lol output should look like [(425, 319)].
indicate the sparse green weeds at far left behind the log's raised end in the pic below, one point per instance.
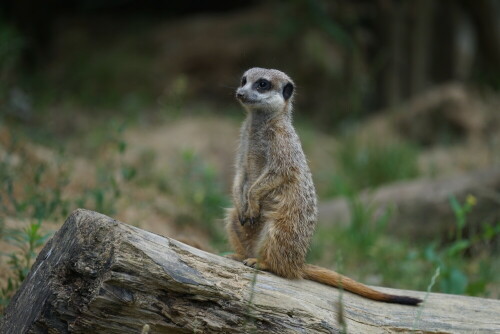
[(36, 193)]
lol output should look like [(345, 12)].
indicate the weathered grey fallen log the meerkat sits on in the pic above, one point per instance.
[(97, 275)]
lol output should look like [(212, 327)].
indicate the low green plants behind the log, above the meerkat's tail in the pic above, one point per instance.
[(367, 247)]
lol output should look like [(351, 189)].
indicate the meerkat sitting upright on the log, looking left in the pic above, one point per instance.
[(275, 205)]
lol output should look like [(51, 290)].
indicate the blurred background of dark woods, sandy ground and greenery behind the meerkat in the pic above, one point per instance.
[(127, 108)]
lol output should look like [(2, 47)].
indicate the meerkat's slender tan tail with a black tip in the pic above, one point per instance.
[(329, 277)]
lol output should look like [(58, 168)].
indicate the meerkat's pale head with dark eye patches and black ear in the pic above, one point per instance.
[(265, 90)]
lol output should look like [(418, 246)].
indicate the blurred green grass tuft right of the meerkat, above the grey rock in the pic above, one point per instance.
[(371, 165)]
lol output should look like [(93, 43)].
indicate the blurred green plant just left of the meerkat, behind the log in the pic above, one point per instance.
[(201, 194)]
